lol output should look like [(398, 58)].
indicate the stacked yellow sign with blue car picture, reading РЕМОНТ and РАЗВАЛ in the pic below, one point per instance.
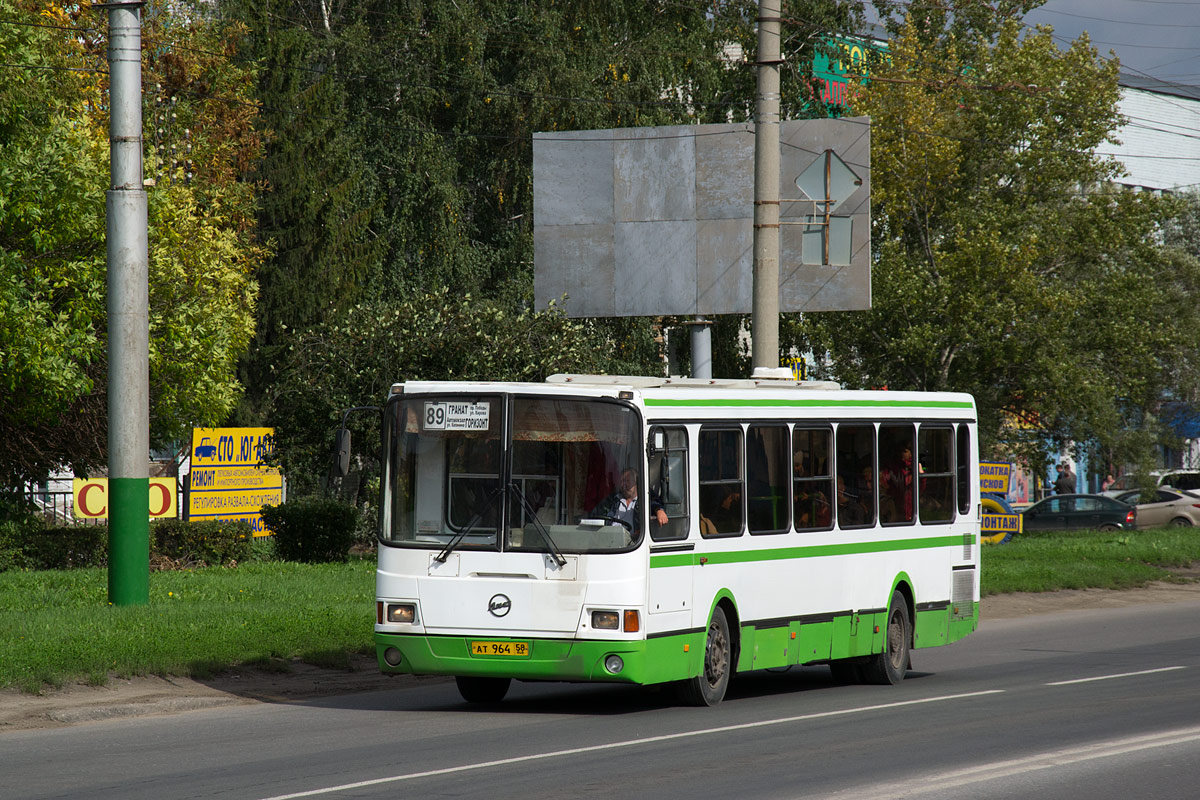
[(229, 480)]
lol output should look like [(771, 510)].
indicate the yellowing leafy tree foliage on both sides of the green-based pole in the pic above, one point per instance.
[(55, 169)]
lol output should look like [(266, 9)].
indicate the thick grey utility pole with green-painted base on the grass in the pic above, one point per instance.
[(129, 328)]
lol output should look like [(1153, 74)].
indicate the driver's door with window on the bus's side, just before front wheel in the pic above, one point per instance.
[(671, 555)]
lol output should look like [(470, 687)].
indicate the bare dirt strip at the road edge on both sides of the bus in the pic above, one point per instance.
[(121, 697)]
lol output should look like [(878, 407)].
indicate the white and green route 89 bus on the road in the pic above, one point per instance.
[(772, 524)]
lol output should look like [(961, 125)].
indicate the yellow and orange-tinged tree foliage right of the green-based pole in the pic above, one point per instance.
[(206, 250)]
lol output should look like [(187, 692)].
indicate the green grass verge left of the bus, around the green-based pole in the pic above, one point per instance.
[(57, 627)]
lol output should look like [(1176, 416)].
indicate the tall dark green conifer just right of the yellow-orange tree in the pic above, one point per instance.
[(315, 193)]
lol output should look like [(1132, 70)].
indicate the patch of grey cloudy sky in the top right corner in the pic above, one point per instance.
[(1159, 39)]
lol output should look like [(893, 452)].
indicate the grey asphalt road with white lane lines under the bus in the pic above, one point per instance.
[(1089, 705)]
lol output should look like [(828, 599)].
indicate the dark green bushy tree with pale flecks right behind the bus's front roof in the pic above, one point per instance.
[(435, 335)]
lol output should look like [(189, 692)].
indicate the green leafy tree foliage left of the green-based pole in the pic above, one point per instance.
[(52, 248)]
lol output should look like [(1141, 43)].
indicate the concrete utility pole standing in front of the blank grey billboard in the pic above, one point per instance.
[(765, 318)]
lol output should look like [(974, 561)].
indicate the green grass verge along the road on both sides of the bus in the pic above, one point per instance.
[(57, 627)]
